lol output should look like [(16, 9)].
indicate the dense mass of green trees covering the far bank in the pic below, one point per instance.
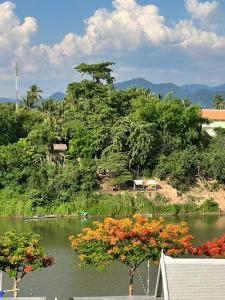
[(110, 134)]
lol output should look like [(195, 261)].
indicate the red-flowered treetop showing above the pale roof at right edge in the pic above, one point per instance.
[(214, 249)]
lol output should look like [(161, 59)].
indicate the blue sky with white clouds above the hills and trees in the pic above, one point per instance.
[(179, 41)]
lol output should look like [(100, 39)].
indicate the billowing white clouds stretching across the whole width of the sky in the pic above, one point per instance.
[(127, 28)]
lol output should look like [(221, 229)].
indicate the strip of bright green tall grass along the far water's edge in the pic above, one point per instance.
[(14, 204)]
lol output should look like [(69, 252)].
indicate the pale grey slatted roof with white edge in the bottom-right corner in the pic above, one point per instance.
[(191, 279)]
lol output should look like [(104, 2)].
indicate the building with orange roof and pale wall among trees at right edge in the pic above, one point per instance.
[(216, 118)]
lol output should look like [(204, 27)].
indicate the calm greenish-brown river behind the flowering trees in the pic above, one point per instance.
[(65, 279)]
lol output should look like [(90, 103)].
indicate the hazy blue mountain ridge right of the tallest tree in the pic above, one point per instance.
[(197, 93)]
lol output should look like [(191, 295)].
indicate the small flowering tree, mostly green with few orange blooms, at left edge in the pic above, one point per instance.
[(21, 254)]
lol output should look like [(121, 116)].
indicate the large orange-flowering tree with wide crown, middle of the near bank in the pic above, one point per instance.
[(130, 242)]
